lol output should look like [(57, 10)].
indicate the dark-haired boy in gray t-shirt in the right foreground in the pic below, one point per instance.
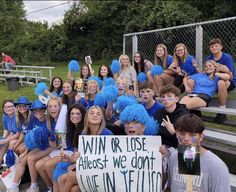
[(214, 174)]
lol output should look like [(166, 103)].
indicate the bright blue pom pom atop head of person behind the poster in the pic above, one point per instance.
[(135, 112)]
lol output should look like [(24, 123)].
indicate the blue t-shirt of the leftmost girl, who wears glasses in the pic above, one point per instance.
[(9, 123)]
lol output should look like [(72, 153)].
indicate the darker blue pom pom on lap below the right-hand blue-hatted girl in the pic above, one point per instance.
[(41, 138)]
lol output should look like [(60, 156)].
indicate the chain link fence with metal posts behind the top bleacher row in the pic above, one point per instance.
[(195, 36)]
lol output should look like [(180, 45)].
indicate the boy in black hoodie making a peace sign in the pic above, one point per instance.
[(167, 116)]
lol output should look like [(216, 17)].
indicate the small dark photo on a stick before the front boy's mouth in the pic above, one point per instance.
[(189, 159)]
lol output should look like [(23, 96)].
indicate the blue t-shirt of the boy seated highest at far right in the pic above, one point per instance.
[(227, 60)]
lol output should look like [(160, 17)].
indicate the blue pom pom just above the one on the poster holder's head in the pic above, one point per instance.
[(123, 101)]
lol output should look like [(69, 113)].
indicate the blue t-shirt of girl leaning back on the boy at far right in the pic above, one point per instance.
[(204, 85)]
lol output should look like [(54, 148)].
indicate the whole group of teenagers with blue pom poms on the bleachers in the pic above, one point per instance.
[(108, 105)]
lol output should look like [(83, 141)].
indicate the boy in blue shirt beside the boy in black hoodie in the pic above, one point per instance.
[(147, 92)]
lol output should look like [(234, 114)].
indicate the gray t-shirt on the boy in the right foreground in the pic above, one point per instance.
[(214, 175)]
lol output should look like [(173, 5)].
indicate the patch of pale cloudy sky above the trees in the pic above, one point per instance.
[(52, 15)]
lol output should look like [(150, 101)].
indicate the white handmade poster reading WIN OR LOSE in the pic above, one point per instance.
[(119, 163)]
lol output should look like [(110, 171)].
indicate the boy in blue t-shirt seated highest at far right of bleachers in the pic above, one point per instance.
[(226, 66)]
